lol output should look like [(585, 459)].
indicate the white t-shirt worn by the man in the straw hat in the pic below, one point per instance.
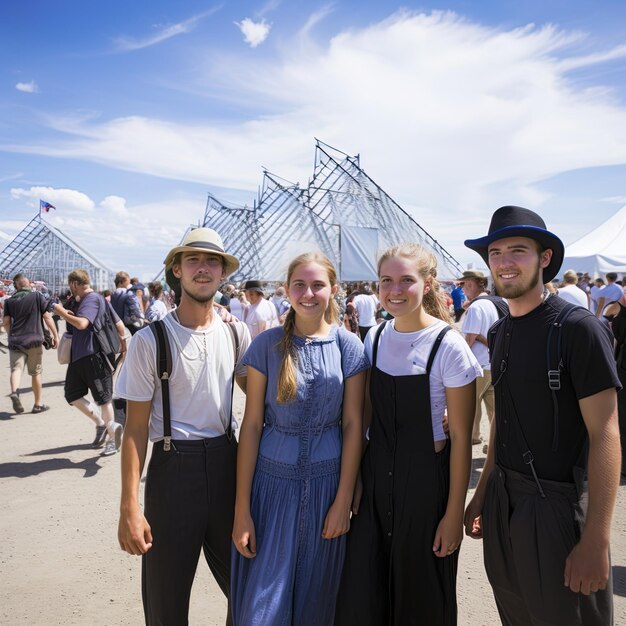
[(200, 383)]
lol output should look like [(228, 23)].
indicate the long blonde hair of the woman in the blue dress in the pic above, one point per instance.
[(287, 376)]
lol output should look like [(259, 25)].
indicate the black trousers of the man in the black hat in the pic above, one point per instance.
[(526, 540)]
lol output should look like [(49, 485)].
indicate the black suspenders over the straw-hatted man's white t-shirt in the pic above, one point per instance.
[(164, 371)]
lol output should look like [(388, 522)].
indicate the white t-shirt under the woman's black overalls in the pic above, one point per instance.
[(402, 354)]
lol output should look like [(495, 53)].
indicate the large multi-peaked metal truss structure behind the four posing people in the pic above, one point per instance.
[(342, 212)]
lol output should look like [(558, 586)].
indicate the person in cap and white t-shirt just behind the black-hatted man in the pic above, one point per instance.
[(475, 324)]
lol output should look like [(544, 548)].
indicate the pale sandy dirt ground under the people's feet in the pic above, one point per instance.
[(59, 558)]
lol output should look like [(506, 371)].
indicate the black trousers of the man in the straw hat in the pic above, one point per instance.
[(189, 504)]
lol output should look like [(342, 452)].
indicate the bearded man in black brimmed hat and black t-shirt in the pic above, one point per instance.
[(547, 559)]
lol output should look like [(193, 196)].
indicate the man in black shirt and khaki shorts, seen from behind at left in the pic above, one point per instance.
[(24, 314)]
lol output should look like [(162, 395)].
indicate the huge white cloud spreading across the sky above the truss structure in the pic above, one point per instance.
[(452, 118)]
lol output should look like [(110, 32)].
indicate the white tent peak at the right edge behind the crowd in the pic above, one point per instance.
[(600, 251)]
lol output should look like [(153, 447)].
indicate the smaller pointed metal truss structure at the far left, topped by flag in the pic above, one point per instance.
[(44, 253)]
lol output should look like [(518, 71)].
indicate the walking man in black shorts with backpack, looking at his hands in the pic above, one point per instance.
[(92, 363)]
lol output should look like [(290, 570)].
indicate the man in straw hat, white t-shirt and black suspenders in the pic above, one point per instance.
[(190, 484)]
